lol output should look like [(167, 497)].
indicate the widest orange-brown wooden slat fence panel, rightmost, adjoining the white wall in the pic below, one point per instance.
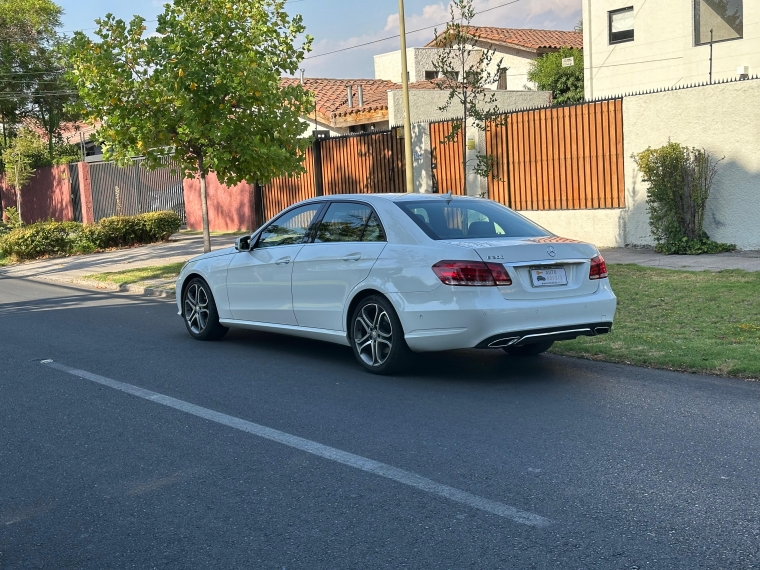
[(561, 158)]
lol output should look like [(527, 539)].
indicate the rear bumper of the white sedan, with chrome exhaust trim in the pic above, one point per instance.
[(475, 317)]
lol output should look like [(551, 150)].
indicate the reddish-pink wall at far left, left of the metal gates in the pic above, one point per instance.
[(46, 196)]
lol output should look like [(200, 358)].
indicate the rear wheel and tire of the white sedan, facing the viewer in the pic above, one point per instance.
[(377, 337)]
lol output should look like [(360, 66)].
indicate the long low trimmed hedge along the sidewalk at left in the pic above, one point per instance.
[(45, 239)]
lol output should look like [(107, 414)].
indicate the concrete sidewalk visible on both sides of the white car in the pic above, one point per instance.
[(74, 270)]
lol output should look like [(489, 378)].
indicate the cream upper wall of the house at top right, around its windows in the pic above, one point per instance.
[(663, 53)]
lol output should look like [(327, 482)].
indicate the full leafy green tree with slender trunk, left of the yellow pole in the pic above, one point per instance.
[(205, 89)]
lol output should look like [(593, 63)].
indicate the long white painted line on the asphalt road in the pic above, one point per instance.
[(318, 449)]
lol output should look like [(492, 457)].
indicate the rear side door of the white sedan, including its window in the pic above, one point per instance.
[(347, 242)]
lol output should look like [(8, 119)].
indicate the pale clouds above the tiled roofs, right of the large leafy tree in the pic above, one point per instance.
[(358, 62)]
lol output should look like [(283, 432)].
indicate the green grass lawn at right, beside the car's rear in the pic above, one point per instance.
[(680, 320)]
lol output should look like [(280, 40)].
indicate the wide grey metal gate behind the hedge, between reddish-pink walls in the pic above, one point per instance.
[(132, 190)]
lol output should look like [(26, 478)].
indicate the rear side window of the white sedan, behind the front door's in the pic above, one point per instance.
[(347, 222)]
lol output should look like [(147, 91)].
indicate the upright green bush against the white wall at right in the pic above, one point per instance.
[(679, 181)]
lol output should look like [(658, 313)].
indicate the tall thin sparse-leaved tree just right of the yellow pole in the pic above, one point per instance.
[(466, 77)]
